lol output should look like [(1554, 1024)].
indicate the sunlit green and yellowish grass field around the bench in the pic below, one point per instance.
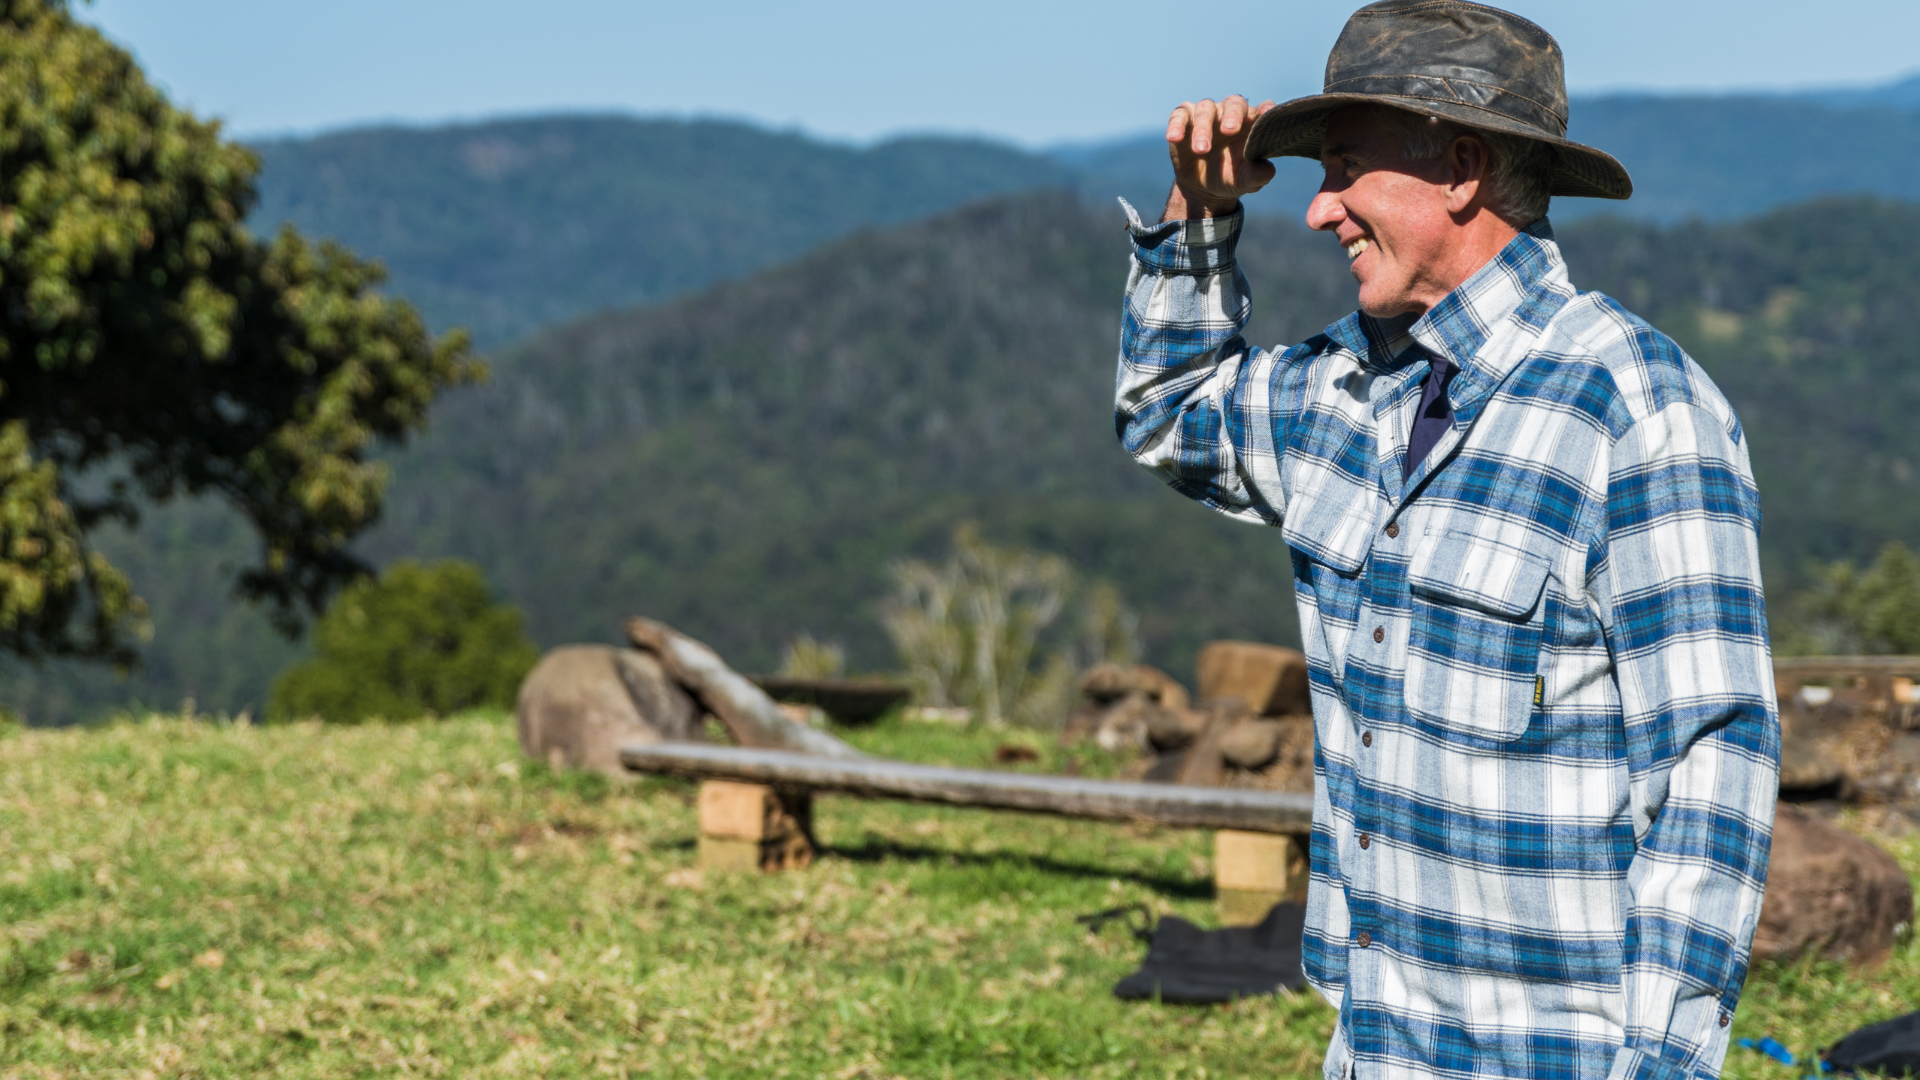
[(187, 898)]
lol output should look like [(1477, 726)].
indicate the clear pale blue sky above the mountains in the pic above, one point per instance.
[(1026, 70)]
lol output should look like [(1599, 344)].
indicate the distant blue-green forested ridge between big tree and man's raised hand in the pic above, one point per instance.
[(519, 224)]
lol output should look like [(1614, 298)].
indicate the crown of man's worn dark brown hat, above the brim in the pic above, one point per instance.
[(1452, 51)]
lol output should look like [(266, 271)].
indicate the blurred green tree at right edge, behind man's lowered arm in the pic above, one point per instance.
[(1854, 610)]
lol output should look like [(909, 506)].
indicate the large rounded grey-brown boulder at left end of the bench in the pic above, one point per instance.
[(583, 704)]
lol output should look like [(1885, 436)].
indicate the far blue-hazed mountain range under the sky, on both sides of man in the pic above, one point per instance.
[(521, 224)]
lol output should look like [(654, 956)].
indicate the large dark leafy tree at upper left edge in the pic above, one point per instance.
[(153, 347)]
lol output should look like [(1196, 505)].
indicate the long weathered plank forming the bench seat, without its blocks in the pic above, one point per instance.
[(1068, 797)]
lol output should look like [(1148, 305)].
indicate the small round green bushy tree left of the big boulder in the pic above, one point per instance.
[(425, 639)]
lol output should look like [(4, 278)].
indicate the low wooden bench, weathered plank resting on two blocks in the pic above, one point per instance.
[(757, 812)]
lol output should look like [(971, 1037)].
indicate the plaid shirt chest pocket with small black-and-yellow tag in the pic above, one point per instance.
[(1474, 650)]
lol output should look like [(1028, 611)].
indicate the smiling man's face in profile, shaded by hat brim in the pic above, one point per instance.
[(1387, 212)]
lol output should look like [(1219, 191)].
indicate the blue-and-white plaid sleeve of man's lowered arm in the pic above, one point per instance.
[(1679, 591)]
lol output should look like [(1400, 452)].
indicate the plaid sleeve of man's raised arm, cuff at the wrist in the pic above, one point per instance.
[(1195, 405)]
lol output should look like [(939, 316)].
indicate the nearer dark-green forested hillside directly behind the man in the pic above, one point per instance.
[(748, 460)]
